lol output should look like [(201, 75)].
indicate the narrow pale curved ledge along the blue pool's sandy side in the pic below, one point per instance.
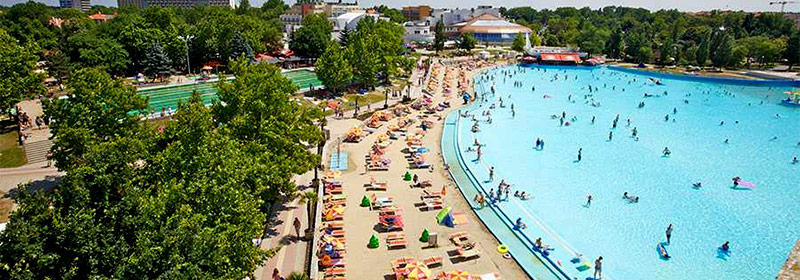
[(496, 208)]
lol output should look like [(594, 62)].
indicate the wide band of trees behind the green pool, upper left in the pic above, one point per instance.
[(125, 45)]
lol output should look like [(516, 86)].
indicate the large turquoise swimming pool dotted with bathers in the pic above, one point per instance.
[(761, 223)]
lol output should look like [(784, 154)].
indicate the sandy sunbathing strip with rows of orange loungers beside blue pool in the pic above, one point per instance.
[(361, 223)]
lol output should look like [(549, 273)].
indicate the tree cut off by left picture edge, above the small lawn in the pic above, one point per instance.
[(17, 77)]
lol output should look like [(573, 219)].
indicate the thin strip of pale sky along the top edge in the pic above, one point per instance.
[(683, 5)]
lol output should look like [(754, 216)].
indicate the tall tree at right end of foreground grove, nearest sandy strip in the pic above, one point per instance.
[(273, 129)]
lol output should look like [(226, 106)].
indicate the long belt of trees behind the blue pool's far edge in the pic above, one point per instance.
[(722, 39)]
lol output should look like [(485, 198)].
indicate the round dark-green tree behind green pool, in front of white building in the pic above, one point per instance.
[(313, 37)]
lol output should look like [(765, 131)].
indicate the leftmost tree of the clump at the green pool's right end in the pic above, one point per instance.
[(333, 69)]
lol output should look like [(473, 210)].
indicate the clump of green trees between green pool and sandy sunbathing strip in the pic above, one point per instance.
[(367, 55)]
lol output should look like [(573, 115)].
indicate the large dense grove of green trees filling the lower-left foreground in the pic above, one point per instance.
[(183, 201)]
